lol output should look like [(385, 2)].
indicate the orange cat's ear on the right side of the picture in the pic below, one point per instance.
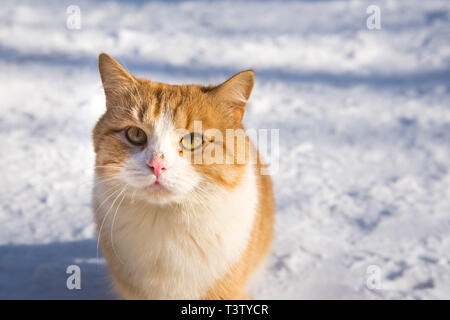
[(234, 93)]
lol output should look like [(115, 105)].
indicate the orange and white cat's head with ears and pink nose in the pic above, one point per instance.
[(167, 143)]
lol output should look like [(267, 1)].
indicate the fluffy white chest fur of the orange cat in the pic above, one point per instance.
[(177, 252)]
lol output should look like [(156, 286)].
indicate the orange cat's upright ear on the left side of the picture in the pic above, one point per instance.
[(116, 80)]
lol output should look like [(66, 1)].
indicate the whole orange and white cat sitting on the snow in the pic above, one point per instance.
[(171, 227)]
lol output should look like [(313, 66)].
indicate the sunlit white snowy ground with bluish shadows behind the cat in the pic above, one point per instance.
[(364, 119)]
